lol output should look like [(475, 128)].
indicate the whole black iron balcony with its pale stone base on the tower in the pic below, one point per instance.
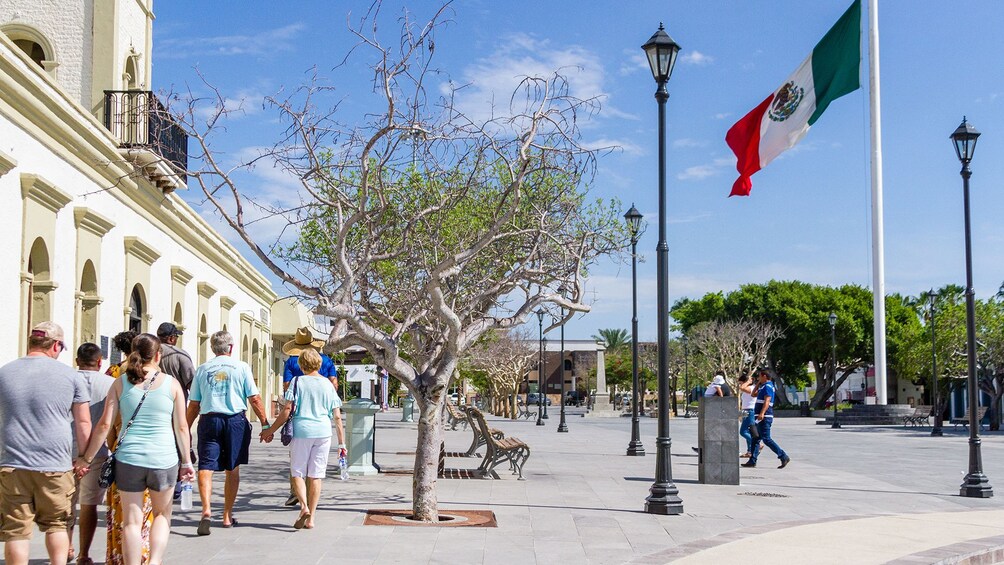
[(149, 135)]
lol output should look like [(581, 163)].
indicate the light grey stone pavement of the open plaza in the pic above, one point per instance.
[(858, 495)]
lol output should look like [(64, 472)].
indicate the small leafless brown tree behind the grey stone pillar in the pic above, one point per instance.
[(734, 347)]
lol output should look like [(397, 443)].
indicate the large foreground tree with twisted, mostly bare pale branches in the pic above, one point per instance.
[(427, 227)]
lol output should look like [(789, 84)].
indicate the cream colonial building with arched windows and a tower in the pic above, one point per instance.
[(95, 235)]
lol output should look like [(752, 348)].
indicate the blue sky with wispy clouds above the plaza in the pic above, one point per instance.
[(810, 215)]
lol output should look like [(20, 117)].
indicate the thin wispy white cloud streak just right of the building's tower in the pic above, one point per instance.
[(262, 44)]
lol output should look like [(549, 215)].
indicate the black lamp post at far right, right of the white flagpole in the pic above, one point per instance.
[(975, 484)]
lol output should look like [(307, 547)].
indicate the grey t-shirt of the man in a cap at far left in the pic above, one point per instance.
[(37, 396)]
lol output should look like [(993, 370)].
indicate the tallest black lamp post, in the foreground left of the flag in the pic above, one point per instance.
[(664, 497)]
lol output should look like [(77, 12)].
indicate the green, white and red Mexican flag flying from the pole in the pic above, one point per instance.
[(782, 121)]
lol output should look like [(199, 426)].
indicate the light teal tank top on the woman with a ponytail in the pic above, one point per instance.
[(150, 443)]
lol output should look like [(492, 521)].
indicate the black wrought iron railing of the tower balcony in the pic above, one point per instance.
[(140, 121)]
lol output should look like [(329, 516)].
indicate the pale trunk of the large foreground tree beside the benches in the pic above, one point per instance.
[(425, 503)]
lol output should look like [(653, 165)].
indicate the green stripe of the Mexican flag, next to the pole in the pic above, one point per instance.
[(837, 61)]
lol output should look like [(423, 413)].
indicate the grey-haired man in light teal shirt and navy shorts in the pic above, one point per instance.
[(221, 392)]
